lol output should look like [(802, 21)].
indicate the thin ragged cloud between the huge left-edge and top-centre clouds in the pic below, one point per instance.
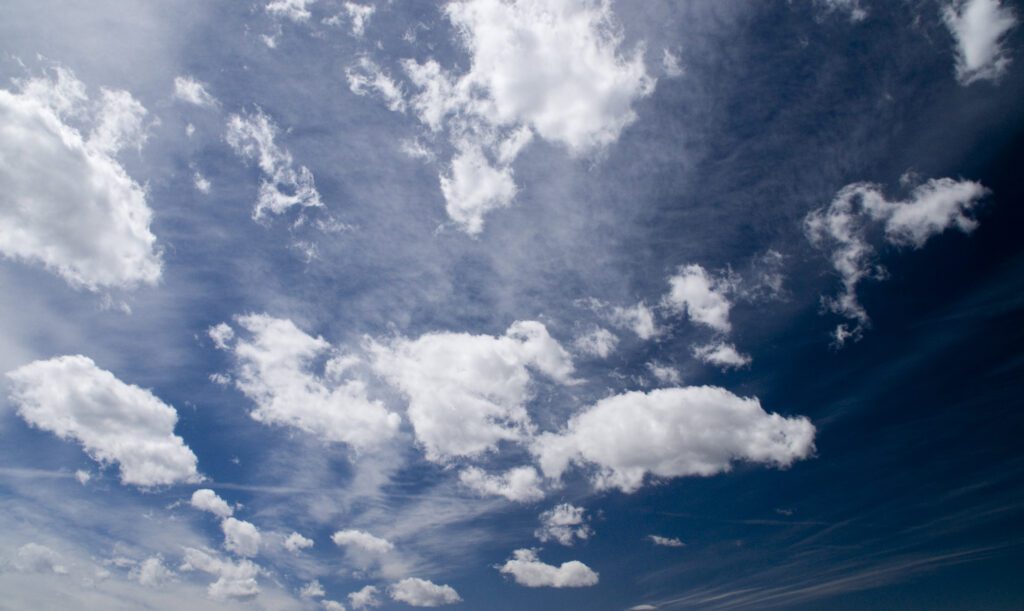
[(252, 136)]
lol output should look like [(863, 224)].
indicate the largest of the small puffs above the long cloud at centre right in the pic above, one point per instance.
[(702, 297)]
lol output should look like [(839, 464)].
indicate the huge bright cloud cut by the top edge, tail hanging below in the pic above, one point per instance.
[(550, 69)]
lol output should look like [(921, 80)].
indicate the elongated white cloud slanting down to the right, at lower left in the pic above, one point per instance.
[(115, 422)]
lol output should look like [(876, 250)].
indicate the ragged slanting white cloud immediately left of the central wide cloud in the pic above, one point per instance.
[(276, 370)]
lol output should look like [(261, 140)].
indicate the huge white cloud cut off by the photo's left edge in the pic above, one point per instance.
[(68, 204)]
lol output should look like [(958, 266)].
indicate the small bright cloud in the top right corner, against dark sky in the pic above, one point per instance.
[(979, 27)]
